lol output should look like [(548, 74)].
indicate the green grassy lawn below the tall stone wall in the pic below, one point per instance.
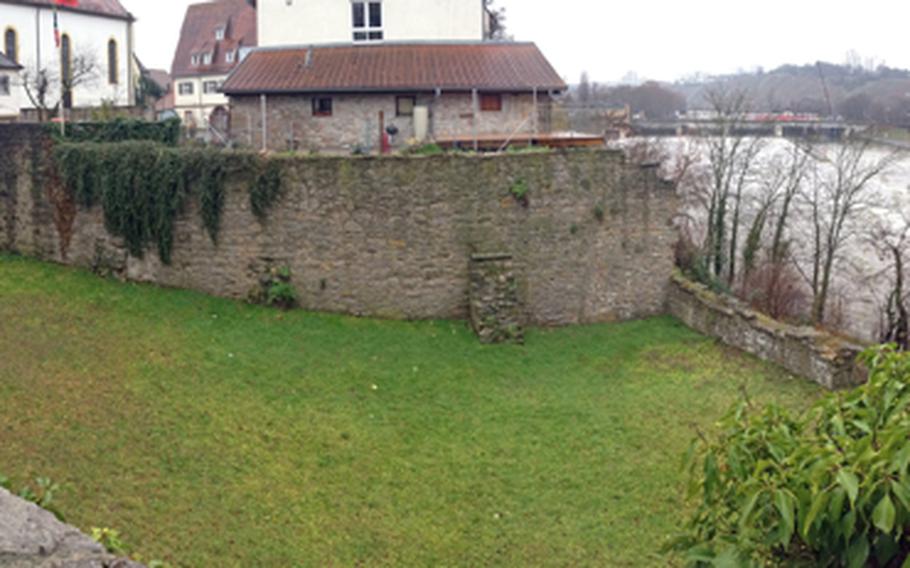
[(213, 433)]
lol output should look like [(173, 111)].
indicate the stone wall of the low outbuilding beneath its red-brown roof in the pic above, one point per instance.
[(354, 123)]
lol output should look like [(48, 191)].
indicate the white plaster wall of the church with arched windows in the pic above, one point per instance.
[(88, 34)]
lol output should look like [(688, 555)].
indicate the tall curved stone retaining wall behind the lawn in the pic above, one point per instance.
[(591, 241)]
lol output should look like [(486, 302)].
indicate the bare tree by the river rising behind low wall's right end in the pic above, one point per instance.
[(834, 202)]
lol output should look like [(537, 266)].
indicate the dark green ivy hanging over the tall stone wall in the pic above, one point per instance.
[(143, 186)]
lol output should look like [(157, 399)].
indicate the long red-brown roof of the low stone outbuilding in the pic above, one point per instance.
[(395, 67)]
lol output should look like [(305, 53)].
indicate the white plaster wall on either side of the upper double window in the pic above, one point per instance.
[(305, 22)]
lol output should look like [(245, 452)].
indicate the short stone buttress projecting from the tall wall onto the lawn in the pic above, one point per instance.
[(496, 313)]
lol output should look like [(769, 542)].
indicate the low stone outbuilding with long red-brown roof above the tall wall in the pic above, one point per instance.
[(347, 97)]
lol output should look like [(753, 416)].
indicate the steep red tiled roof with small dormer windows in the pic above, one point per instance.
[(197, 37)]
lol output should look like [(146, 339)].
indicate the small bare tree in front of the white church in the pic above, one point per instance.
[(46, 86)]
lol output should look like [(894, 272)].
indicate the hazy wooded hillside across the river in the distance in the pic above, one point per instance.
[(869, 95)]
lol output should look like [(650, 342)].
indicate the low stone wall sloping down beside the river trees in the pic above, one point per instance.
[(804, 351)]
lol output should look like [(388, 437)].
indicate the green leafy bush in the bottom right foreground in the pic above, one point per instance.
[(829, 487)]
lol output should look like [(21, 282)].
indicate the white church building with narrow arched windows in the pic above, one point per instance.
[(95, 52)]
